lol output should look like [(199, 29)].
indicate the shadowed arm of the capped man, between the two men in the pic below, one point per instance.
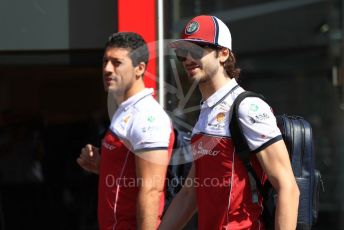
[(183, 206)]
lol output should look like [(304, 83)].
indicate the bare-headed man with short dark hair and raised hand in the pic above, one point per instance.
[(136, 148)]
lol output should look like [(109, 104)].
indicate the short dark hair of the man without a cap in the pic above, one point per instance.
[(132, 41)]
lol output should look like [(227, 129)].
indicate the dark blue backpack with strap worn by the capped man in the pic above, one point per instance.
[(297, 135)]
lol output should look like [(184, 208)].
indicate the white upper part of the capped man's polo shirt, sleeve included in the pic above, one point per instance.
[(258, 121)]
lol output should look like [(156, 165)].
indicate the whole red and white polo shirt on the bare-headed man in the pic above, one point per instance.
[(138, 124)]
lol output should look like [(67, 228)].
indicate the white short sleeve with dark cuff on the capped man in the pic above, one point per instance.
[(258, 123)]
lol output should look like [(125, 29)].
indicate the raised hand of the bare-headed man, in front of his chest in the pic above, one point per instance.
[(89, 159)]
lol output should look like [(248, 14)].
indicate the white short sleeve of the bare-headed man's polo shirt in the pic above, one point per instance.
[(150, 130)]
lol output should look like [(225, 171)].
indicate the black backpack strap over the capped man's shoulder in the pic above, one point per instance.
[(241, 145)]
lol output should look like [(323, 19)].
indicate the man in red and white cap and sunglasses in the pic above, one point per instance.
[(218, 185)]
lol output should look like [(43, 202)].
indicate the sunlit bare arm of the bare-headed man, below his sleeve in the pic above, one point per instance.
[(151, 167)]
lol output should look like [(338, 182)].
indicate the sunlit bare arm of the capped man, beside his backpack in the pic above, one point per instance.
[(275, 162)]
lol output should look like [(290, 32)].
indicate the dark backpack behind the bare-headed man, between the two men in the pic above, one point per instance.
[(180, 164)]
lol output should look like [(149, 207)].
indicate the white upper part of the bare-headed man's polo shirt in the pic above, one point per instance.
[(142, 123)]
